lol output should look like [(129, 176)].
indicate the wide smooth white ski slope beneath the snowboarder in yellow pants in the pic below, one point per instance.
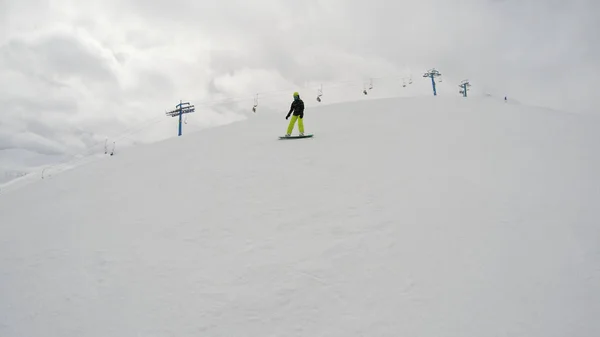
[(401, 217)]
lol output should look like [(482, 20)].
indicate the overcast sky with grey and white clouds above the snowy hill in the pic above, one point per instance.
[(74, 73)]
